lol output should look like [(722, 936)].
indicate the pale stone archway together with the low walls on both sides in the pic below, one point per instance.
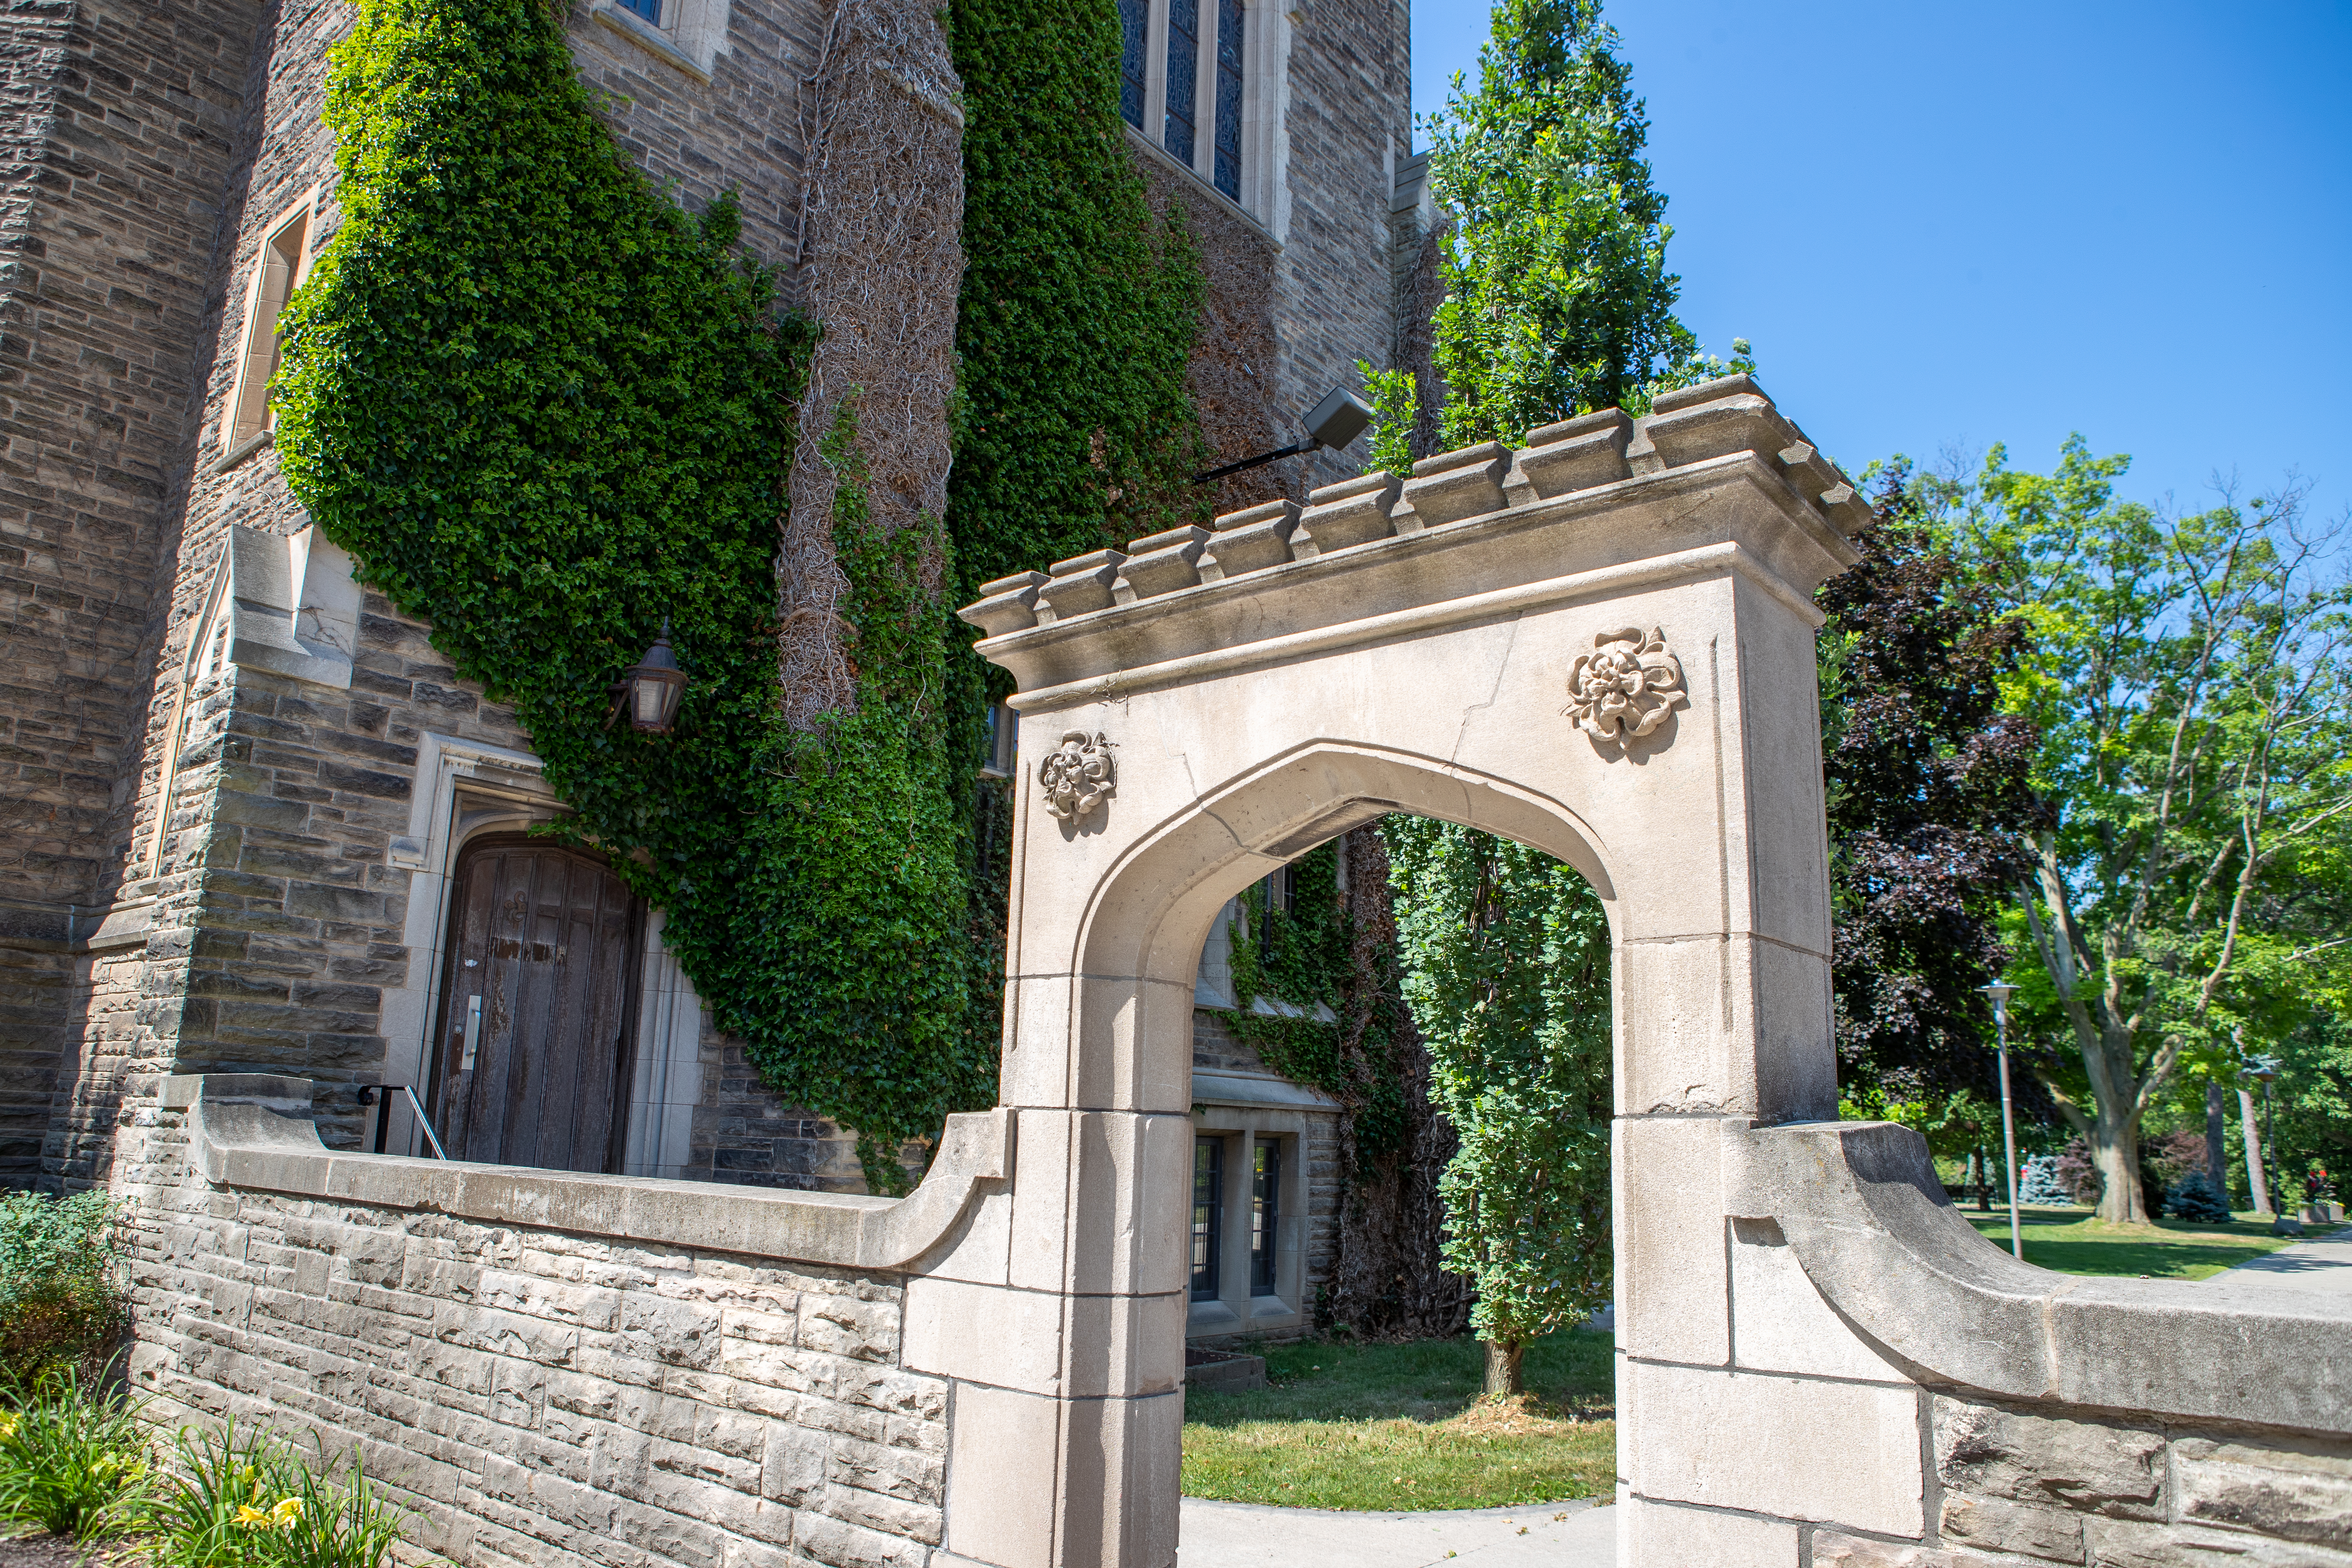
[(1601, 645)]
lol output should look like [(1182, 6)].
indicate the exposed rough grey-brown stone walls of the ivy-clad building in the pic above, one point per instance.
[(241, 791)]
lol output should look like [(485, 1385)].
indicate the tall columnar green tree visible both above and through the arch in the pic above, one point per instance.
[(1558, 302)]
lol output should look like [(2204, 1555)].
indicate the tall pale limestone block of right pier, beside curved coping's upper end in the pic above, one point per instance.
[(1671, 1285)]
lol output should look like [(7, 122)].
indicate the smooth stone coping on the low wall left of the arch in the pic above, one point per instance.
[(253, 1130)]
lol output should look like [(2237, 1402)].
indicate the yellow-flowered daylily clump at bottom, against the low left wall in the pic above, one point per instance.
[(250, 1501)]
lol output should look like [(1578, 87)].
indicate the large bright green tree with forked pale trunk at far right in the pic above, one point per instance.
[(2193, 692)]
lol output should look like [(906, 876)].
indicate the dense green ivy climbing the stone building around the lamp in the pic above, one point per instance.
[(547, 413)]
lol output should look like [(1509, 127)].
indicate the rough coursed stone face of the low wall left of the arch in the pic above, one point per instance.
[(544, 1395)]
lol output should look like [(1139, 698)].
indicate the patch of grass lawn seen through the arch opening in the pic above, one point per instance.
[(1401, 1428)]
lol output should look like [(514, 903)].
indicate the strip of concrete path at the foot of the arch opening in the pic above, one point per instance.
[(1535, 1536)]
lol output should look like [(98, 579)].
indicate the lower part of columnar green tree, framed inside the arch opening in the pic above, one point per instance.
[(1506, 972)]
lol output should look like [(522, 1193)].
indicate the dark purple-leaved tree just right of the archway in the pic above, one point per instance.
[(1930, 803)]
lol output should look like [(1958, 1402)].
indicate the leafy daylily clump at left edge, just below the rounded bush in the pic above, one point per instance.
[(74, 1454)]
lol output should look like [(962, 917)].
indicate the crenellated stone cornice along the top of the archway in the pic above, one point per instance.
[(1711, 485)]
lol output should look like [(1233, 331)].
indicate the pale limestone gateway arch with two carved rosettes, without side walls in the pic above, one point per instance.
[(1220, 702)]
